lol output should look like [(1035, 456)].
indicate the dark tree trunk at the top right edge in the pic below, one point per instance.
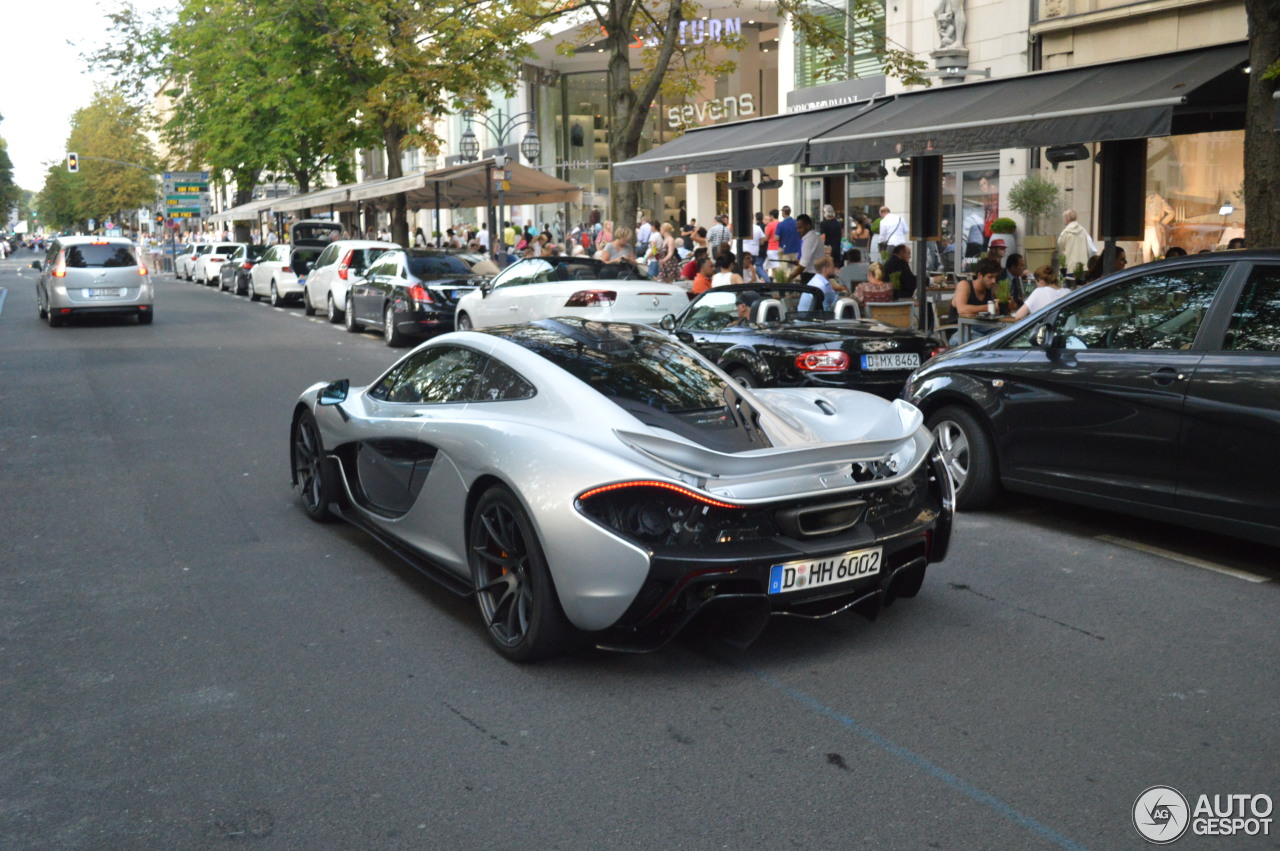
[(1261, 139)]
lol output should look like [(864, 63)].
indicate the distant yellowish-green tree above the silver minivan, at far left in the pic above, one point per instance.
[(109, 129)]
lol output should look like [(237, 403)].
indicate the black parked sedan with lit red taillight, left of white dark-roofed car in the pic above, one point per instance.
[(410, 294)]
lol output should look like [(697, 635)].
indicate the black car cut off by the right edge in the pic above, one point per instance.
[(1155, 392)]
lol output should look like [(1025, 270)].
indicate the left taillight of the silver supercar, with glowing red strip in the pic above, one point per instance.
[(661, 514)]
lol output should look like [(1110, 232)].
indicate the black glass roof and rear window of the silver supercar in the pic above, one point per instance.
[(651, 376)]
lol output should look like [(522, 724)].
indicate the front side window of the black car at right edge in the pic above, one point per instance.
[(1162, 310)]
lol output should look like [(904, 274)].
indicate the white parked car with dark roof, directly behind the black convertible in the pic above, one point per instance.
[(545, 287)]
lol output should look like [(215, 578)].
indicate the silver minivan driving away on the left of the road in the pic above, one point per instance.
[(93, 276)]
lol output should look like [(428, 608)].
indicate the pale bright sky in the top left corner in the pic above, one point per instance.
[(47, 80)]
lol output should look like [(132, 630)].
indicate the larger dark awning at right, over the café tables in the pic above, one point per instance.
[(1183, 93)]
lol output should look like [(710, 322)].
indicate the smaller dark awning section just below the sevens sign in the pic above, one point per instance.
[(756, 144)]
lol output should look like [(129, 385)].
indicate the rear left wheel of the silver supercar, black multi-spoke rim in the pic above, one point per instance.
[(514, 589)]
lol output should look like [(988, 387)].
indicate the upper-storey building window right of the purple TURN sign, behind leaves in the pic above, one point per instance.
[(863, 29)]
